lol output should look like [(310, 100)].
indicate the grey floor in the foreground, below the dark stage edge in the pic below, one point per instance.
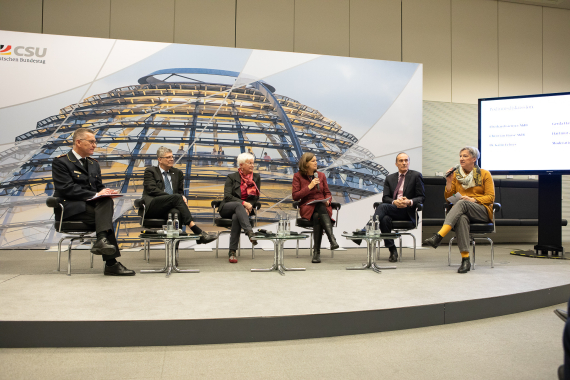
[(518, 346)]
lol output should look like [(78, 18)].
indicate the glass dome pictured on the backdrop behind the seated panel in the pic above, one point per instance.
[(207, 123)]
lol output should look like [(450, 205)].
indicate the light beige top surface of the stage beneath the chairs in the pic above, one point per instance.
[(31, 289)]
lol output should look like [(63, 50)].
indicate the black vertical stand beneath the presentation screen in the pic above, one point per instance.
[(549, 215)]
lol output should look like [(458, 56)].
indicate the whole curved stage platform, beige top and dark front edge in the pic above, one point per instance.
[(226, 303)]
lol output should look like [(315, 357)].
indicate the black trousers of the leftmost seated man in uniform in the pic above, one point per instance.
[(99, 213)]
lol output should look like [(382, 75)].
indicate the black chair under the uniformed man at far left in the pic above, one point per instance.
[(73, 230)]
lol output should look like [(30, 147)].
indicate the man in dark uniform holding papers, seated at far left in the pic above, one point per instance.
[(77, 178)]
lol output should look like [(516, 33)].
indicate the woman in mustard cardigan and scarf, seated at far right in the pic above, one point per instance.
[(476, 205)]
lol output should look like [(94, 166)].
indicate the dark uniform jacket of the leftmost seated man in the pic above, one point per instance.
[(74, 184)]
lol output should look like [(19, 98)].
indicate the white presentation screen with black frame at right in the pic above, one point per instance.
[(525, 134)]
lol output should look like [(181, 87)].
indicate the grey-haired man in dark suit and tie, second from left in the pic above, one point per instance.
[(164, 193)]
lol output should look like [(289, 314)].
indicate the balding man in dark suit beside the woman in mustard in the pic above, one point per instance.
[(401, 191)]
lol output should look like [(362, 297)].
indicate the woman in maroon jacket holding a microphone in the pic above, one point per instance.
[(307, 188)]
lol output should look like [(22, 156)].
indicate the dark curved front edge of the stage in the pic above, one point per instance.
[(15, 334)]
